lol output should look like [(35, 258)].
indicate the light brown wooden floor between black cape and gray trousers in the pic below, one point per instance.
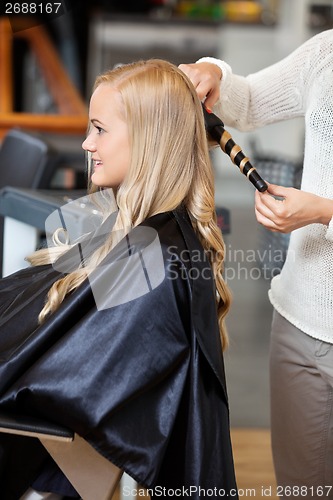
[(253, 464)]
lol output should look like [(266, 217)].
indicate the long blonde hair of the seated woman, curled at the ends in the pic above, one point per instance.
[(170, 165)]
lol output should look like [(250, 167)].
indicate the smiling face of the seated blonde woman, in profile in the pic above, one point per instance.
[(107, 140)]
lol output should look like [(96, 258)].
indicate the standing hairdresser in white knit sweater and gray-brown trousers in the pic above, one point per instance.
[(301, 358)]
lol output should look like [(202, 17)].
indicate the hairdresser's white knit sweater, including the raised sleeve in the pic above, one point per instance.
[(299, 85)]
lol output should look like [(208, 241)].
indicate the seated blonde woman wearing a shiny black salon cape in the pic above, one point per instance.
[(125, 347)]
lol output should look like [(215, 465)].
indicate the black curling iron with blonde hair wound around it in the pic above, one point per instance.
[(215, 129)]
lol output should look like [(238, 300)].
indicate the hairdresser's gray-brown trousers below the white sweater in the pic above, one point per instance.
[(301, 412)]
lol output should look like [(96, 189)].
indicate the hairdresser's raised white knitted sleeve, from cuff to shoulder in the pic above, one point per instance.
[(276, 93)]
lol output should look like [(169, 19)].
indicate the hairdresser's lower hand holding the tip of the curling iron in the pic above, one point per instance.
[(295, 210)]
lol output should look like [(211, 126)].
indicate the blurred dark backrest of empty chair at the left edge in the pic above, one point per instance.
[(26, 161)]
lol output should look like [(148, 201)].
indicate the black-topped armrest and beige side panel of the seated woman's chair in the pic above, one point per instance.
[(93, 476)]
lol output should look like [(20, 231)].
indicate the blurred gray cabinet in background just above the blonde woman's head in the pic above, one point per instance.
[(114, 40)]
